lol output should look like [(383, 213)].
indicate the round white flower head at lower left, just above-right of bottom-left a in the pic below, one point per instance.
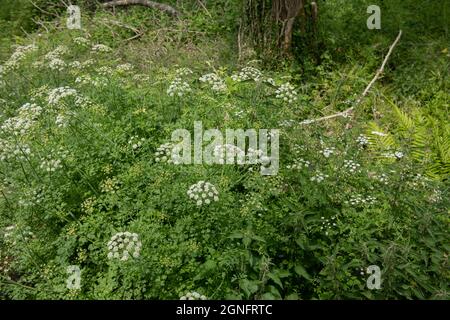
[(124, 245)]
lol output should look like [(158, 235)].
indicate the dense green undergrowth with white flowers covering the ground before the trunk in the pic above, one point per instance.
[(86, 117)]
